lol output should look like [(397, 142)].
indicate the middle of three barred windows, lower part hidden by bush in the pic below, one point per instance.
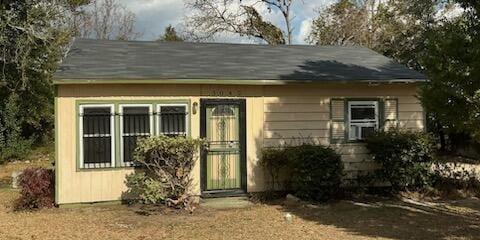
[(136, 121)]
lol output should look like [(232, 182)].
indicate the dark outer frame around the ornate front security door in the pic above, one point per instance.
[(243, 147)]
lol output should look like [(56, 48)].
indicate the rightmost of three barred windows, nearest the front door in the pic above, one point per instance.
[(172, 119)]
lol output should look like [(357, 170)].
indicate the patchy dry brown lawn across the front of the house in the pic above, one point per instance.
[(368, 219)]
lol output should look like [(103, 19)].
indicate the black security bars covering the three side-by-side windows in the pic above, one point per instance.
[(135, 123)]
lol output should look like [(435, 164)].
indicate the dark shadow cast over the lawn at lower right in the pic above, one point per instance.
[(406, 219)]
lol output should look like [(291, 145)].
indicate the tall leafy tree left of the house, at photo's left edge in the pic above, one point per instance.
[(32, 42)]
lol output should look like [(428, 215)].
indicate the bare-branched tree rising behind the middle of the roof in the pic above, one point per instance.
[(212, 17)]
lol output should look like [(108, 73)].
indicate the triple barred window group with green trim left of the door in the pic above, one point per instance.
[(107, 138)]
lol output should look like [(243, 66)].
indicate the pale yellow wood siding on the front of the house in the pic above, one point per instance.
[(274, 115)]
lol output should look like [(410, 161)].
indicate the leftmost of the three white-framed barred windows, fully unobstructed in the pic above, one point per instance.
[(96, 136)]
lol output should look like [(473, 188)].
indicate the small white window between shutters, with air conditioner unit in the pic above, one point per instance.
[(363, 119)]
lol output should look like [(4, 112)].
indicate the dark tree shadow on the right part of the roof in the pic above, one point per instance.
[(334, 70)]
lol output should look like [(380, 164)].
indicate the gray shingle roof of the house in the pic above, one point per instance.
[(137, 60)]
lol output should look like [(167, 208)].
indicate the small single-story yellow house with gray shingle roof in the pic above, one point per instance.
[(241, 98)]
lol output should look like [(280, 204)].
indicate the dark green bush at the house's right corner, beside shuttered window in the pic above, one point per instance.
[(405, 158)]
